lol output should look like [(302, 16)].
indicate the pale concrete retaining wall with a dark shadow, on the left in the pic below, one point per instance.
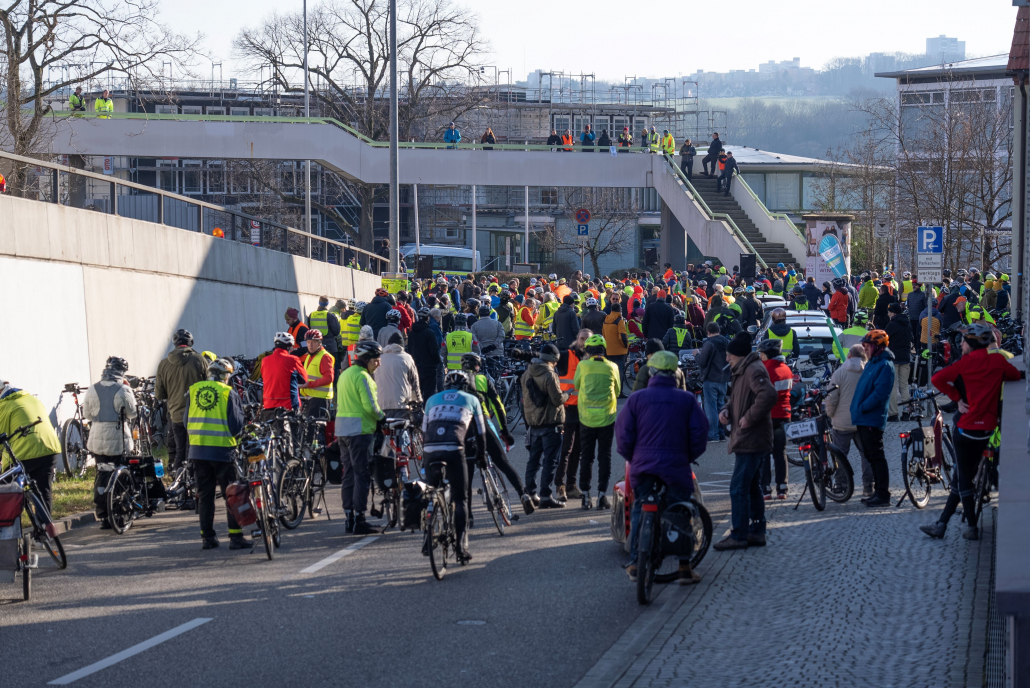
[(82, 287)]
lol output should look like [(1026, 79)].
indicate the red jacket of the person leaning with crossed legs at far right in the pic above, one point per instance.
[(982, 374)]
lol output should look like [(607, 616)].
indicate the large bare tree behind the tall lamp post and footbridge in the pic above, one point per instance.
[(438, 46)]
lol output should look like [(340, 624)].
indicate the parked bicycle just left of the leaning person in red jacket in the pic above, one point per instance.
[(924, 468)]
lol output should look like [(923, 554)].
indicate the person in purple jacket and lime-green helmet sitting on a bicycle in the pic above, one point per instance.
[(662, 431)]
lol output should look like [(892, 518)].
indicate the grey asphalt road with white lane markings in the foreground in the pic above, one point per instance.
[(539, 606)]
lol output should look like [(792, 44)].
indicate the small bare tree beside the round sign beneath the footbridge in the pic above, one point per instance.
[(613, 214)]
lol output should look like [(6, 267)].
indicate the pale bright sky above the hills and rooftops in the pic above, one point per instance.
[(611, 41)]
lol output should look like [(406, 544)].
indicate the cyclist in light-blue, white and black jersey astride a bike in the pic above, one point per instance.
[(453, 418)]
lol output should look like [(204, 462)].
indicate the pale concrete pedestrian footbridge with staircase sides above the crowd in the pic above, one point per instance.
[(340, 149)]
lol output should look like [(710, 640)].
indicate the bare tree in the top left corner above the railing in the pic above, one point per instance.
[(53, 45)]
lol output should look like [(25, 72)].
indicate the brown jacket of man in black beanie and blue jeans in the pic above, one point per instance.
[(751, 399)]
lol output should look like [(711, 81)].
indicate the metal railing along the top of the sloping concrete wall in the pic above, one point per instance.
[(52, 183)]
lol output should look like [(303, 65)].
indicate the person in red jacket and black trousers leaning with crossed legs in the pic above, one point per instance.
[(975, 382)]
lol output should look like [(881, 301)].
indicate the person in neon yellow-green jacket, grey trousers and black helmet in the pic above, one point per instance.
[(358, 416)]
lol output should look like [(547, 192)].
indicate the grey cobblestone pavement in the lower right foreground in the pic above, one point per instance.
[(849, 597)]
